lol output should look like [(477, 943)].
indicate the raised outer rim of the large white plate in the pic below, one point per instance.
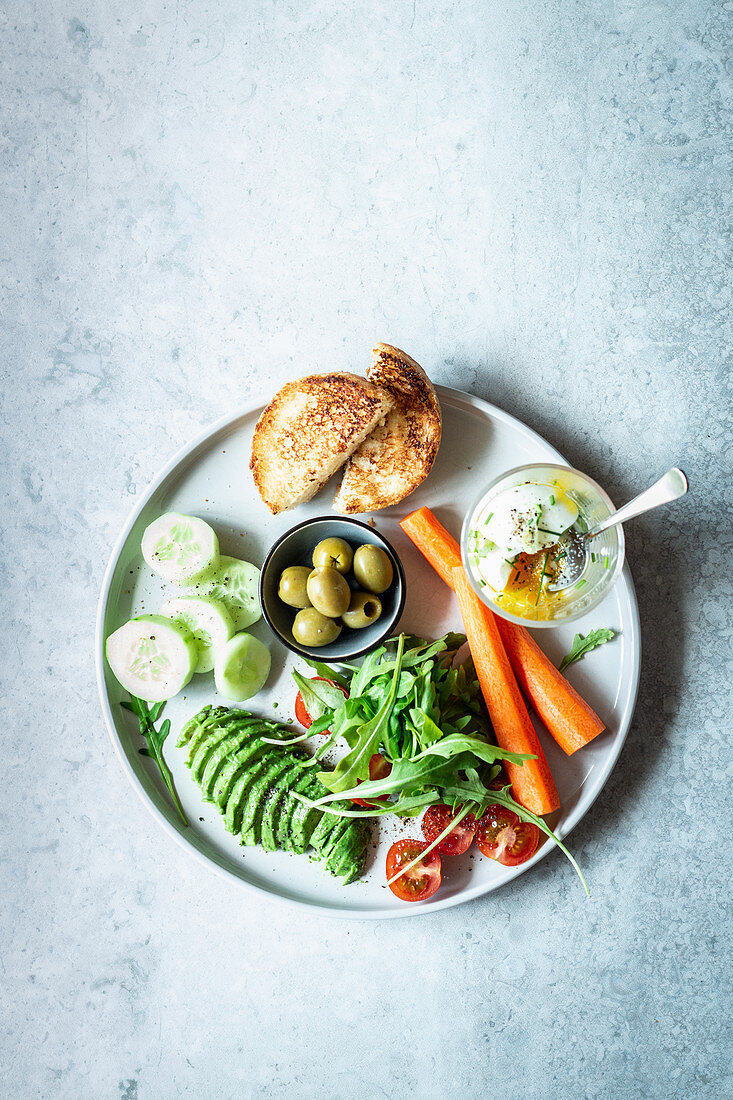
[(456, 397)]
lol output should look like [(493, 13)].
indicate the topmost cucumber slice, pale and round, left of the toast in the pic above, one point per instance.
[(181, 549)]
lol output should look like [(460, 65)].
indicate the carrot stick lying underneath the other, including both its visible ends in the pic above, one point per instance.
[(568, 718)]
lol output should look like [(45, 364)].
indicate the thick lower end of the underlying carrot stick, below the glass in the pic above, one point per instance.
[(572, 722)]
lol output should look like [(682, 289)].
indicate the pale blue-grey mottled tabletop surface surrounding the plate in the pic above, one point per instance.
[(201, 201)]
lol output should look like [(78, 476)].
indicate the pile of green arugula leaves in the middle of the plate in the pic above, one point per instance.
[(424, 713)]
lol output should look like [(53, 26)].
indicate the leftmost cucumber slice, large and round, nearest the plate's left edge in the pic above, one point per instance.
[(152, 657)]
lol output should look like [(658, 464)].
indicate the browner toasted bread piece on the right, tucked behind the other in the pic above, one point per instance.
[(398, 456)]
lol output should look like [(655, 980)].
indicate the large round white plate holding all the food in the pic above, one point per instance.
[(211, 479)]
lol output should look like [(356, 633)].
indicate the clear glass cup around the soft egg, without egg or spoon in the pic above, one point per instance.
[(606, 553)]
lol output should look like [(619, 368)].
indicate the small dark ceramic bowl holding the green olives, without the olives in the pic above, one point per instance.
[(297, 548)]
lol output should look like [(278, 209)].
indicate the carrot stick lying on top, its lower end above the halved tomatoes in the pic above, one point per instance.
[(532, 783)]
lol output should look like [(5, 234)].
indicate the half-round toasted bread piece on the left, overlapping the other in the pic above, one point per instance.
[(309, 431)]
